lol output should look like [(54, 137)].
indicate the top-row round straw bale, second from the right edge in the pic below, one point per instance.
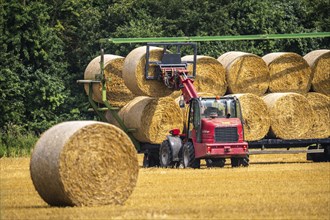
[(289, 72)]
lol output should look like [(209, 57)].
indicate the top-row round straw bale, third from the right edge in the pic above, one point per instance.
[(245, 72)]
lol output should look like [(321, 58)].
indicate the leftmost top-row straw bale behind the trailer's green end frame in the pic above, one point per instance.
[(117, 92)]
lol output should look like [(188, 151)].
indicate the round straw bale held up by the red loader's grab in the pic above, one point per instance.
[(134, 73)]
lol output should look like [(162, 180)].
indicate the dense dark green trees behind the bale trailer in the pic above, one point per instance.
[(46, 45)]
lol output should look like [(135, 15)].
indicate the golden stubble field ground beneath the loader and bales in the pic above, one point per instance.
[(272, 187)]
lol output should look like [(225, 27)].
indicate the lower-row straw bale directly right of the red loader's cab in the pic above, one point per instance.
[(255, 115)]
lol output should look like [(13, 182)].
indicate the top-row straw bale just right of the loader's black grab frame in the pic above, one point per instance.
[(210, 74)]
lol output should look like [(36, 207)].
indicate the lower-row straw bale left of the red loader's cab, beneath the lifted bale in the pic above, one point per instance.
[(152, 118)]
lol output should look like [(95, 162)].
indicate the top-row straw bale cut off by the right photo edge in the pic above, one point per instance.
[(319, 61)]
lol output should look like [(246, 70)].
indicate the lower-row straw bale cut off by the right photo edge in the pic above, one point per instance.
[(321, 107)]
